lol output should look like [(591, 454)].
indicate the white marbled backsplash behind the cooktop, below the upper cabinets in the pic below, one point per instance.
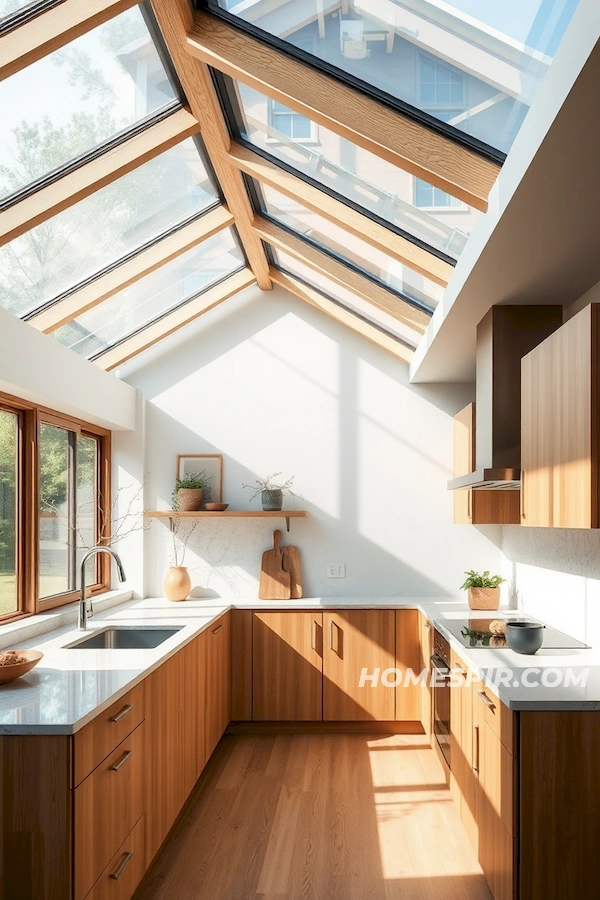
[(554, 575)]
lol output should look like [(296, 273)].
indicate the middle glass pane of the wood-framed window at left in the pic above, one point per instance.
[(55, 505)]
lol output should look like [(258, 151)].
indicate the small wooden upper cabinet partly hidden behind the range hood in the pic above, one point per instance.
[(477, 507)]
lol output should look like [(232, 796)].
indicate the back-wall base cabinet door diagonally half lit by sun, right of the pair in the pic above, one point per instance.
[(356, 640)]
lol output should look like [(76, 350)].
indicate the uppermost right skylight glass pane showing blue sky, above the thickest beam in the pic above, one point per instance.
[(476, 64)]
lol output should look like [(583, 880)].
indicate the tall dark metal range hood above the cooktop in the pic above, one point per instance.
[(504, 337)]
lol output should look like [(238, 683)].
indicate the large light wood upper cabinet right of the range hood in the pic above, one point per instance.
[(560, 416)]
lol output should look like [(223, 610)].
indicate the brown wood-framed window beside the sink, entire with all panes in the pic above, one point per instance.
[(47, 522)]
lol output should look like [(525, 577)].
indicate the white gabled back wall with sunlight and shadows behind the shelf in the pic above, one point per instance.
[(274, 385)]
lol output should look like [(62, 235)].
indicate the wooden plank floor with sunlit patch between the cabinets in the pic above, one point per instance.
[(318, 817)]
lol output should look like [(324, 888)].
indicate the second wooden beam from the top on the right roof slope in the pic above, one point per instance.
[(361, 226)]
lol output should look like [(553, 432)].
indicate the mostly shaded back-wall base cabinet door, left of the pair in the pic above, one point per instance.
[(287, 667)]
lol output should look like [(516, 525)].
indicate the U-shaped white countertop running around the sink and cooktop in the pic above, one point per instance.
[(69, 687)]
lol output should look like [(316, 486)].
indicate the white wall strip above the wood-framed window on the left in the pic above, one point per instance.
[(37, 368)]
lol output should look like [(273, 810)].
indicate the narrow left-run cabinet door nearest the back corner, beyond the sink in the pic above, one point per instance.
[(218, 681)]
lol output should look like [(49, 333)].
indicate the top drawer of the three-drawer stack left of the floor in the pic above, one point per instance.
[(94, 742)]
